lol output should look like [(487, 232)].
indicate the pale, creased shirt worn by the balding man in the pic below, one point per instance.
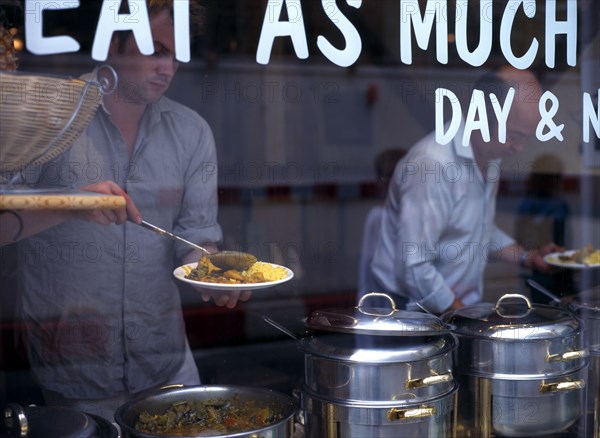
[(438, 231)]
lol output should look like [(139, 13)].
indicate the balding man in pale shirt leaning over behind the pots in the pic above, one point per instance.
[(438, 228)]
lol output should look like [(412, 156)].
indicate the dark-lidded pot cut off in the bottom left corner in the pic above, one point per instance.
[(51, 421)]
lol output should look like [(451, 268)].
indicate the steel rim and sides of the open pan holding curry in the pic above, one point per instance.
[(159, 401)]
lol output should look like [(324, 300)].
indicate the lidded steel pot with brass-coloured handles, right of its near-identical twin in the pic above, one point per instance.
[(514, 354)]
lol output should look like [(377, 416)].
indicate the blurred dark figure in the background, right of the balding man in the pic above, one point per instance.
[(541, 217)]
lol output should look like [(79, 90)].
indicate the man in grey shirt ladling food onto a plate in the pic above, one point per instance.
[(100, 304)]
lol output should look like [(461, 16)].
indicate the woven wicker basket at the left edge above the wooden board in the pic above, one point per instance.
[(41, 116)]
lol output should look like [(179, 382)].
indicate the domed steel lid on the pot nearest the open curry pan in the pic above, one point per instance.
[(380, 321)]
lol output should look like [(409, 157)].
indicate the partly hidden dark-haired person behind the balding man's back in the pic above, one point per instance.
[(385, 163)]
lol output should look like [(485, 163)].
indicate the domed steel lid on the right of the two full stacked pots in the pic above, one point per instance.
[(513, 318)]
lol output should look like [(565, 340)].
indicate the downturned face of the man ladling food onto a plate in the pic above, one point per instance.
[(144, 79)]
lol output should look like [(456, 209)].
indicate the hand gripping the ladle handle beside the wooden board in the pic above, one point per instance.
[(106, 217)]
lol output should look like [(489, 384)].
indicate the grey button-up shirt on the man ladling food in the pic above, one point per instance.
[(102, 310)]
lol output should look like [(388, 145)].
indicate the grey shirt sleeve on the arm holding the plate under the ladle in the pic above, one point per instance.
[(197, 221)]
